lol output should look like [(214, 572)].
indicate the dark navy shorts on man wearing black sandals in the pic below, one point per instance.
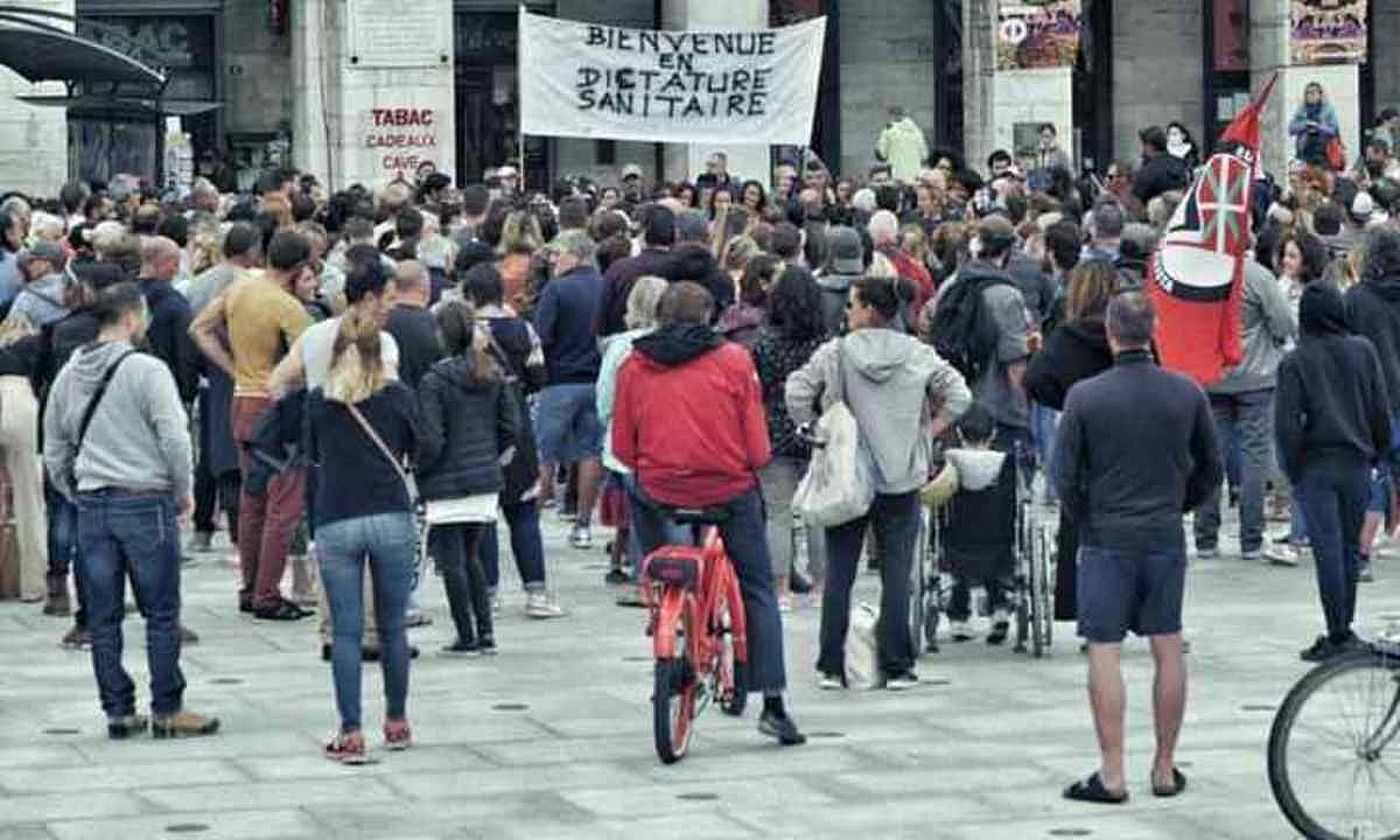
[(1139, 591)]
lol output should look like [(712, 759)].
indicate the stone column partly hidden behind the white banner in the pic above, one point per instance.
[(688, 160)]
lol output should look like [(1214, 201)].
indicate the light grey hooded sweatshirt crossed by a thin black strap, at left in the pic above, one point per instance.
[(139, 439)]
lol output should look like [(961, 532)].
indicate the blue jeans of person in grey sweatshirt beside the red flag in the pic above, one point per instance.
[(1249, 419)]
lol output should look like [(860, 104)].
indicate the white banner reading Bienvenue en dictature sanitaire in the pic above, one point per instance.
[(594, 80)]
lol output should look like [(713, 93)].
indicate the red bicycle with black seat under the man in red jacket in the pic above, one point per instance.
[(698, 633)]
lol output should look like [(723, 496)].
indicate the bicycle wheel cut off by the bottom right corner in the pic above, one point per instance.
[(1333, 752)]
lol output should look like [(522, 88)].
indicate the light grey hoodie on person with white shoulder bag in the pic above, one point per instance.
[(894, 386)]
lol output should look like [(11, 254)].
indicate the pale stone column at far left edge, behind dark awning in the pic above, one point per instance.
[(34, 139)]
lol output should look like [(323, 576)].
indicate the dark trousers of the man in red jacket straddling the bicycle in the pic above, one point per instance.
[(745, 540)]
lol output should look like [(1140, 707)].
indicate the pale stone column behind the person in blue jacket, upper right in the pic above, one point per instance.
[(1270, 52)]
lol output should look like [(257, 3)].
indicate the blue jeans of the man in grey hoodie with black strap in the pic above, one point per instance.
[(132, 535)]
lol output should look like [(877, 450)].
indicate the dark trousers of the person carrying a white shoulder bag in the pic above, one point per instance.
[(895, 520)]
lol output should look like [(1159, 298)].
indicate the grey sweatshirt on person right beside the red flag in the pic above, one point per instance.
[(1270, 325)]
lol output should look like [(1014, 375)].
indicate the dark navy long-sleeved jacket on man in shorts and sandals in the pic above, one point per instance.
[(1136, 450)]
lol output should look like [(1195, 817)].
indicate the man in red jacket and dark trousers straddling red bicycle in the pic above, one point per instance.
[(689, 422)]
